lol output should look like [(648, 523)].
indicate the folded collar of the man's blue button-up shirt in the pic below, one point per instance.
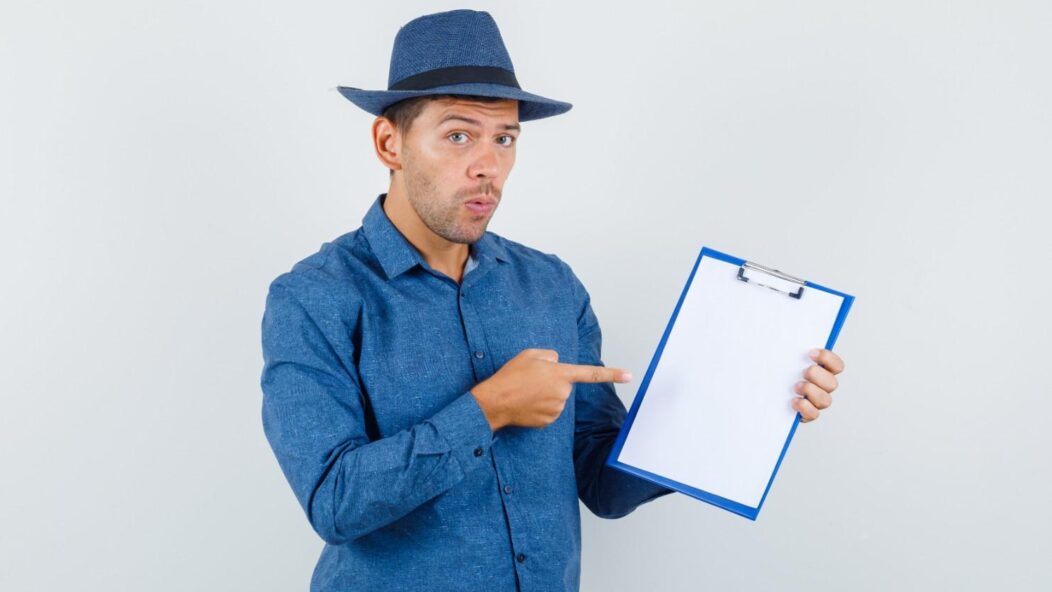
[(397, 255)]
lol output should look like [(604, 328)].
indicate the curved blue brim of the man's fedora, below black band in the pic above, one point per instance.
[(531, 107)]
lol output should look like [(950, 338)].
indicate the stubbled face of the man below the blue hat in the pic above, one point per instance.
[(455, 160)]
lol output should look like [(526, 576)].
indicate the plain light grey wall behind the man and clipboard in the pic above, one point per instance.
[(161, 162)]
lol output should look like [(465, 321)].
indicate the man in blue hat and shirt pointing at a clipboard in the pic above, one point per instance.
[(435, 393)]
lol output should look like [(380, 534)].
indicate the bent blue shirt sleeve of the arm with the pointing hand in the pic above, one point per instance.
[(314, 419)]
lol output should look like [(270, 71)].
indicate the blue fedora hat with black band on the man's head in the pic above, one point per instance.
[(453, 53)]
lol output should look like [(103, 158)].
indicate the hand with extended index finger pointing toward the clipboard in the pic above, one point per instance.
[(532, 390)]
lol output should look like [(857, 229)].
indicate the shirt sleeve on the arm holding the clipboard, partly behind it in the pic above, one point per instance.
[(608, 493)]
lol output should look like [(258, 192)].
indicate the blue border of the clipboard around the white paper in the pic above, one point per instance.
[(730, 505)]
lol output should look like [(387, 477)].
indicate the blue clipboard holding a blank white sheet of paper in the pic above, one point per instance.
[(713, 418)]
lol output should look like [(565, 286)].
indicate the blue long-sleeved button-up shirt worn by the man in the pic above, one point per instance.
[(370, 357)]
